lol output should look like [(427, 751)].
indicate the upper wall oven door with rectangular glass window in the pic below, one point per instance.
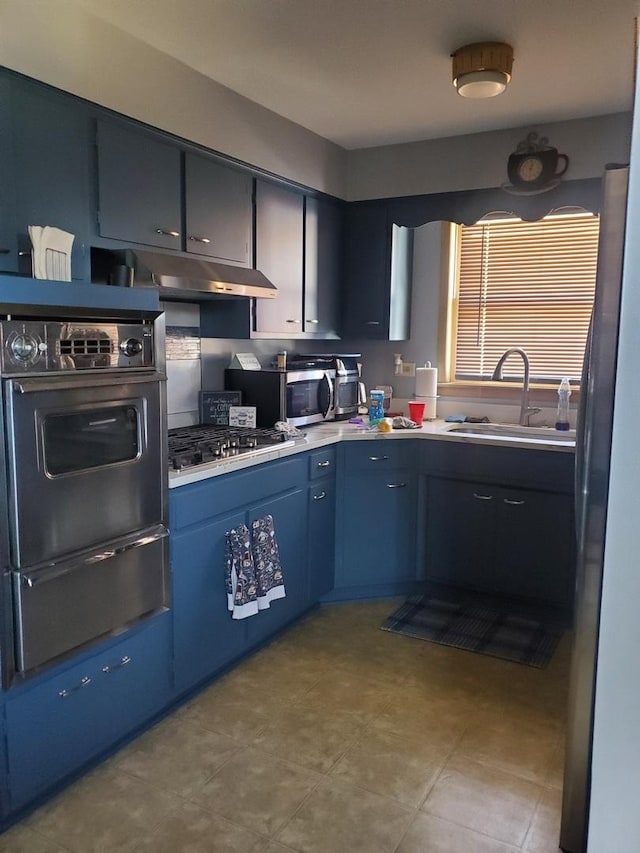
[(85, 462)]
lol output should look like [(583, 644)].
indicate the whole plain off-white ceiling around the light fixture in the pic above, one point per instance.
[(376, 72)]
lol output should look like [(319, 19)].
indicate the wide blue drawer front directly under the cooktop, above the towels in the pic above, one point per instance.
[(198, 502)]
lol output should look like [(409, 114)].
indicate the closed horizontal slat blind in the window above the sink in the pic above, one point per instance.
[(530, 285)]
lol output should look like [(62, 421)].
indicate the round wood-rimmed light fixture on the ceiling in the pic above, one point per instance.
[(482, 70)]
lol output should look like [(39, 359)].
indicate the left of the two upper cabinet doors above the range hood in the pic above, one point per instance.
[(139, 187)]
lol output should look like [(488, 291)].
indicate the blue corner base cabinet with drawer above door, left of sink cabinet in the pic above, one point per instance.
[(376, 515)]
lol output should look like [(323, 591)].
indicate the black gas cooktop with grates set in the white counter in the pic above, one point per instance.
[(198, 445)]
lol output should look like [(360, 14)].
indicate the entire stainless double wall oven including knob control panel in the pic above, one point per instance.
[(83, 484)]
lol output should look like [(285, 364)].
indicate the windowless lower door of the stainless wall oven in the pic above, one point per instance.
[(61, 607)]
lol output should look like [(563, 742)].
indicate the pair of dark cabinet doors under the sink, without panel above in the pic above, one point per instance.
[(507, 540)]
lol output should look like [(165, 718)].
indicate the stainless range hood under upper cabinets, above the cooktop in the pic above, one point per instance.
[(193, 278)]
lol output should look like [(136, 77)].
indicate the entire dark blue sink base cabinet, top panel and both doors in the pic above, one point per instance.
[(500, 520)]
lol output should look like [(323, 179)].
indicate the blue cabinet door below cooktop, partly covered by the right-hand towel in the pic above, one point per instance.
[(289, 513)]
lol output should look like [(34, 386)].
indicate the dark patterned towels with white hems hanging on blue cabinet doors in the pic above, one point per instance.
[(253, 575)]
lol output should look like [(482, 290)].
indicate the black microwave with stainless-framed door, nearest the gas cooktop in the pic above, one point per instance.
[(299, 397)]
